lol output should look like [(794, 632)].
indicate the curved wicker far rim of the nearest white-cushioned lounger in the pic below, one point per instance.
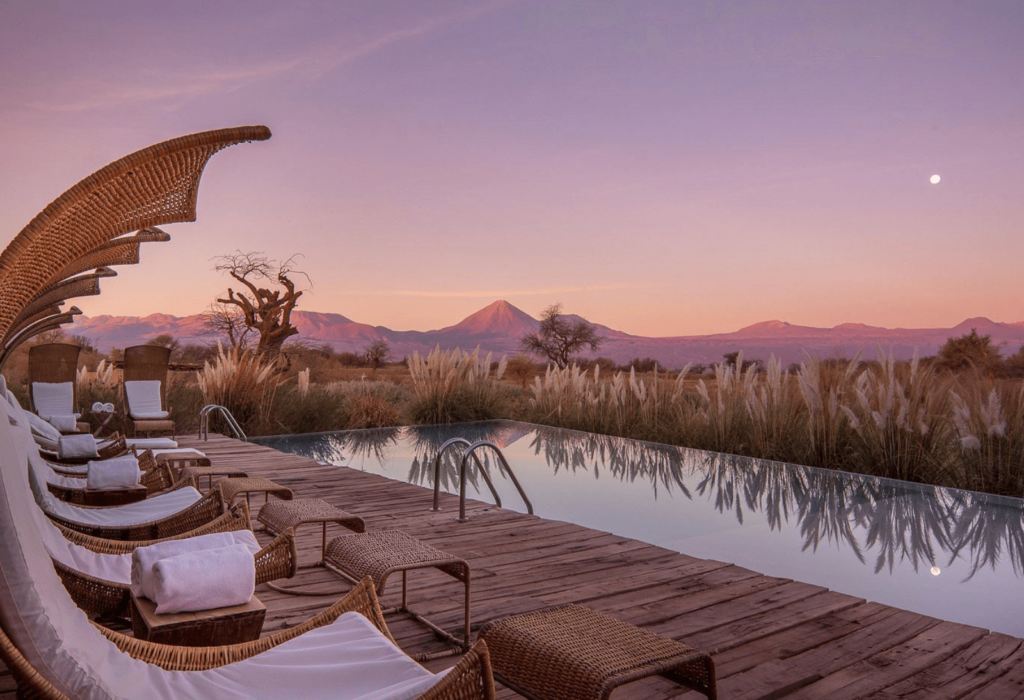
[(362, 599)]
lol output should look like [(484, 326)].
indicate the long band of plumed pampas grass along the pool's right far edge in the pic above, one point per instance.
[(895, 420)]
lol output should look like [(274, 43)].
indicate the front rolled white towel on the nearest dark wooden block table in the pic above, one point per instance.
[(204, 581)]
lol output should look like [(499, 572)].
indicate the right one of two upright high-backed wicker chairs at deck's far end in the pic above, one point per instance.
[(145, 389)]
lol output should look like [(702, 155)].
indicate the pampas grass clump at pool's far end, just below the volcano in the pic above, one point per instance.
[(454, 386)]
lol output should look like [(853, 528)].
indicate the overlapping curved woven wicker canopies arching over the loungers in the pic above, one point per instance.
[(88, 227)]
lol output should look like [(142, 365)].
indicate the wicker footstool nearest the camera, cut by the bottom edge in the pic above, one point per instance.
[(572, 653)]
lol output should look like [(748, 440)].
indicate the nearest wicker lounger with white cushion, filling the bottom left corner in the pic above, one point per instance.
[(55, 652)]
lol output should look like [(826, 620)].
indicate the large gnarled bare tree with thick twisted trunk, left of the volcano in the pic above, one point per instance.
[(269, 313)]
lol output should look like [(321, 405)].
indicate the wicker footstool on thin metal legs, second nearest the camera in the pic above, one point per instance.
[(380, 554)]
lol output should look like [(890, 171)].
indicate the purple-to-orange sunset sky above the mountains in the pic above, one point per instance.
[(665, 168)]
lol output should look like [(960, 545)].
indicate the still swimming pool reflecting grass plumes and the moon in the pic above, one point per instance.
[(955, 555)]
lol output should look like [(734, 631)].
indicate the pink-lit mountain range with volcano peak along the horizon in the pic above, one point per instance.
[(499, 327)]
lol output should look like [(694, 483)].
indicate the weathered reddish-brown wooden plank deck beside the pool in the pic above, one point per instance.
[(771, 637)]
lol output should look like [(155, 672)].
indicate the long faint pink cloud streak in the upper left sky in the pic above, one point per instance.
[(90, 95)]
